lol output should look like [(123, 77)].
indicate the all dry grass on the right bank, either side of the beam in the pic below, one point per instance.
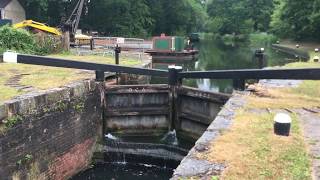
[(250, 149)]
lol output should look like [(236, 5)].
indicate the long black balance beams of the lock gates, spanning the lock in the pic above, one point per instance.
[(175, 74)]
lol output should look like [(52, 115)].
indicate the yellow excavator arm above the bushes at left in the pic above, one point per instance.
[(37, 25)]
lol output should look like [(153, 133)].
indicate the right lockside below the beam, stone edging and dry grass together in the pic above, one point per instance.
[(248, 148)]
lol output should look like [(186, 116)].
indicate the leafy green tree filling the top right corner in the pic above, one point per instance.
[(297, 19)]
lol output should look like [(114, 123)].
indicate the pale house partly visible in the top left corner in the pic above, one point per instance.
[(12, 10)]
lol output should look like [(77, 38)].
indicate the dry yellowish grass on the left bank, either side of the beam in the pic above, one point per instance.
[(42, 77)]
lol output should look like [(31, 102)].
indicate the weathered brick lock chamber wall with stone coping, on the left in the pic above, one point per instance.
[(49, 135)]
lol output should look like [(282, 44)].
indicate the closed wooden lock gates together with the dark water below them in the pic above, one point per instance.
[(149, 129)]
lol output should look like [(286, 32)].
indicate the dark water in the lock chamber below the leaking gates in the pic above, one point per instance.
[(119, 166)]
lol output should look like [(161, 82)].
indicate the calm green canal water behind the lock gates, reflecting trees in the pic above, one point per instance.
[(220, 55)]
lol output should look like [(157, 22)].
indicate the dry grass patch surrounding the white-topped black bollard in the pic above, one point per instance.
[(250, 150)]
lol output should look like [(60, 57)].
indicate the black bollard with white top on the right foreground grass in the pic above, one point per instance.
[(282, 124)]
